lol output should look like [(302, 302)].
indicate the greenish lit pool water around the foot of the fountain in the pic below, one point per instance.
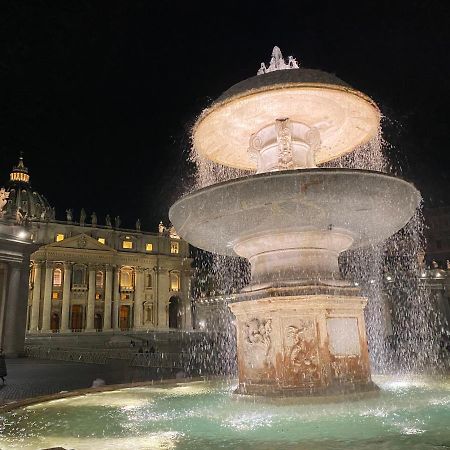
[(410, 413)]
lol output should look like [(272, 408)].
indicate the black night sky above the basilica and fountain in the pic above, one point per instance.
[(100, 95)]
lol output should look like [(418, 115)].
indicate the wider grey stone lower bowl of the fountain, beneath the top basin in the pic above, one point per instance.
[(368, 206)]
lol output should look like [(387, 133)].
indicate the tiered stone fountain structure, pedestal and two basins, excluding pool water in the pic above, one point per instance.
[(300, 325)]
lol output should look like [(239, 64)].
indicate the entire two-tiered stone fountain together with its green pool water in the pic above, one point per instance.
[(301, 339)]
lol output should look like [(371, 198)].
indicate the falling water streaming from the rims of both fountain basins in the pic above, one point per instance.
[(403, 325)]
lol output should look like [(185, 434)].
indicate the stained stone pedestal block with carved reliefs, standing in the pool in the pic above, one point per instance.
[(304, 345)]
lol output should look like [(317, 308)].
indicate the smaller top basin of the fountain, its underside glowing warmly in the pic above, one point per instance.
[(343, 117)]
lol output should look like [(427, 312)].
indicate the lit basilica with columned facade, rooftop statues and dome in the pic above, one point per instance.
[(90, 278)]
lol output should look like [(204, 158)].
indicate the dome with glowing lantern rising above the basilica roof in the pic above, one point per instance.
[(19, 201)]
